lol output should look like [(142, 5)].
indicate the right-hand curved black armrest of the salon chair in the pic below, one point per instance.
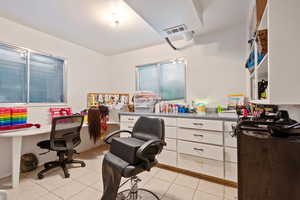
[(141, 151)]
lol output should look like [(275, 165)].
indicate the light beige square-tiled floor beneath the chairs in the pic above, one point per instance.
[(86, 184)]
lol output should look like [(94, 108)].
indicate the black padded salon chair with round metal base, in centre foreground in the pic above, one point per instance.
[(130, 156)]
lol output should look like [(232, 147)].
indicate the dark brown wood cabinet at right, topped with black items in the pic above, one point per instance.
[(268, 167)]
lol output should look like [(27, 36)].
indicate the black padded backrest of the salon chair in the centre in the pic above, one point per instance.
[(149, 128)]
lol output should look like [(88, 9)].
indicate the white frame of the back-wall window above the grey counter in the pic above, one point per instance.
[(182, 59)]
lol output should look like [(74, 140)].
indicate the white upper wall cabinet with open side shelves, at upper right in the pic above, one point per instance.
[(280, 66)]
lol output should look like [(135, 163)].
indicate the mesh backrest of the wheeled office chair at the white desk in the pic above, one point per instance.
[(65, 132)]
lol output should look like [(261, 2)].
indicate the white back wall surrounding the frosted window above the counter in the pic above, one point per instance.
[(215, 65)]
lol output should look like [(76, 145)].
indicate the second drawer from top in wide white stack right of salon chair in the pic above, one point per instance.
[(195, 135)]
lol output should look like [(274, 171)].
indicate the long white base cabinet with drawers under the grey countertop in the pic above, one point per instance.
[(198, 145)]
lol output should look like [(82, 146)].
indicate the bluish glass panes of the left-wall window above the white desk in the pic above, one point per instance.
[(29, 77)]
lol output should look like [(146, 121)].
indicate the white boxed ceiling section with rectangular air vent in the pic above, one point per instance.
[(170, 17)]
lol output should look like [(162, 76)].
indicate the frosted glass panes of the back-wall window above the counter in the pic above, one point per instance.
[(166, 79)]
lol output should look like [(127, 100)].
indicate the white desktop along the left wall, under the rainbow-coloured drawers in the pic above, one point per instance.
[(35, 131)]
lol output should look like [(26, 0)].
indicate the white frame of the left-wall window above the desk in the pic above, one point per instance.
[(65, 76)]
